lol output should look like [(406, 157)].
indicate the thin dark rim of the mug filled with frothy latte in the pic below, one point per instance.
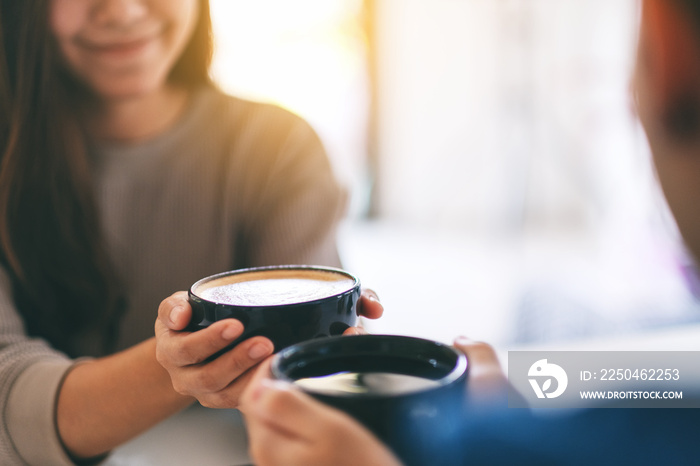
[(319, 268)]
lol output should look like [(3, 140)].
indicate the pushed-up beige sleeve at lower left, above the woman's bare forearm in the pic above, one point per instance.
[(31, 373)]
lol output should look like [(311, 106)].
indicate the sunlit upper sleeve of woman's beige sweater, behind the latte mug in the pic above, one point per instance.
[(294, 199)]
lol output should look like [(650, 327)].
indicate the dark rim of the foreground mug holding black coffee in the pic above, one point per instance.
[(457, 373)]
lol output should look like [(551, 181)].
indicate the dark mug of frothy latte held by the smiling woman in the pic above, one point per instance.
[(287, 304)]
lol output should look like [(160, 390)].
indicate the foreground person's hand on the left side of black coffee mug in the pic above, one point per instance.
[(288, 428)]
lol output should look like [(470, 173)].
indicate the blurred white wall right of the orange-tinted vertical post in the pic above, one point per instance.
[(498, 115)]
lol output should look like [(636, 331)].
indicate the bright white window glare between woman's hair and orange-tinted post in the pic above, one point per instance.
[(308, 56)]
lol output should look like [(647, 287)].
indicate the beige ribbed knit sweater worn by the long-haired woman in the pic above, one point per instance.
[(232, 184)]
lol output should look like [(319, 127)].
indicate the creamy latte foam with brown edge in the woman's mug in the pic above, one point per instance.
[(275, 287)]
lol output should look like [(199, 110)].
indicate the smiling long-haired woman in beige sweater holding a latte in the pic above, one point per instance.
[(126, 176)]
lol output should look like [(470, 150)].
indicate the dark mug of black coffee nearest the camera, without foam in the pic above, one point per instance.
[(410, 392)]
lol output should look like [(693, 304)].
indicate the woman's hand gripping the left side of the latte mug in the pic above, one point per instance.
[(217, 383)]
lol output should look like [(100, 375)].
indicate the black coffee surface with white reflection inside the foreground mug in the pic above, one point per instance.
[(377, 383)]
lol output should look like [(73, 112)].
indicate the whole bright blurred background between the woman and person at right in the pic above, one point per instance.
[(501, 186)]
